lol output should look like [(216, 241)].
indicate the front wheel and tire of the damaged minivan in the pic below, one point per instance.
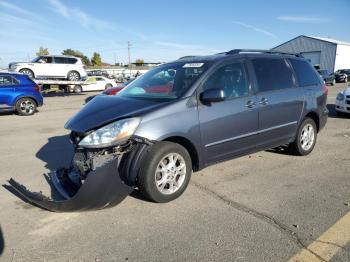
[(165, 172)]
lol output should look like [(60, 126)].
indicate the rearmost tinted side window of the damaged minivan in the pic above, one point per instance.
[(305, 74)]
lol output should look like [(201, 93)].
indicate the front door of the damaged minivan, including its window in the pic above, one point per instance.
[(228, 128)]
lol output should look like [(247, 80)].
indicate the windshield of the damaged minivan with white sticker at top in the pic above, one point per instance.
[(169, 81)]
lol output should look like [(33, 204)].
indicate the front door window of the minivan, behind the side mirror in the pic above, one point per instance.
[(231, 78)]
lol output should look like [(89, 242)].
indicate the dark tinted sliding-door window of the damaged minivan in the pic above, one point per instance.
[(272, 74)]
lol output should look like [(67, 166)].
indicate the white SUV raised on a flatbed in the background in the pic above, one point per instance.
[(52, 67)]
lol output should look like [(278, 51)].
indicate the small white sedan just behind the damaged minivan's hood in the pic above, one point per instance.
[(95, 83)]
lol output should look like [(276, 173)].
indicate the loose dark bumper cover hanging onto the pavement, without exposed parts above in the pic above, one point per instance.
[(102, 188)]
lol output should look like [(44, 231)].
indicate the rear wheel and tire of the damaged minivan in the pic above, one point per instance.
[(306, 138)]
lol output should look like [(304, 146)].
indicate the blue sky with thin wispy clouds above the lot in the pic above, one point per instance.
[(161, 31)]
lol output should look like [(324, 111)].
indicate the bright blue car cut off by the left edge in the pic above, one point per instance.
[(19, 93)]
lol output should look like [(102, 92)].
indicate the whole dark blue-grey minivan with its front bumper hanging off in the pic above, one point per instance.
[(181, 117)]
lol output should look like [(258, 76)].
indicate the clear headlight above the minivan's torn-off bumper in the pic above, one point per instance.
[(111, 134)]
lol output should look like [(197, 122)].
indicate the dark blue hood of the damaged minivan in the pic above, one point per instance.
[(105, 109)]
